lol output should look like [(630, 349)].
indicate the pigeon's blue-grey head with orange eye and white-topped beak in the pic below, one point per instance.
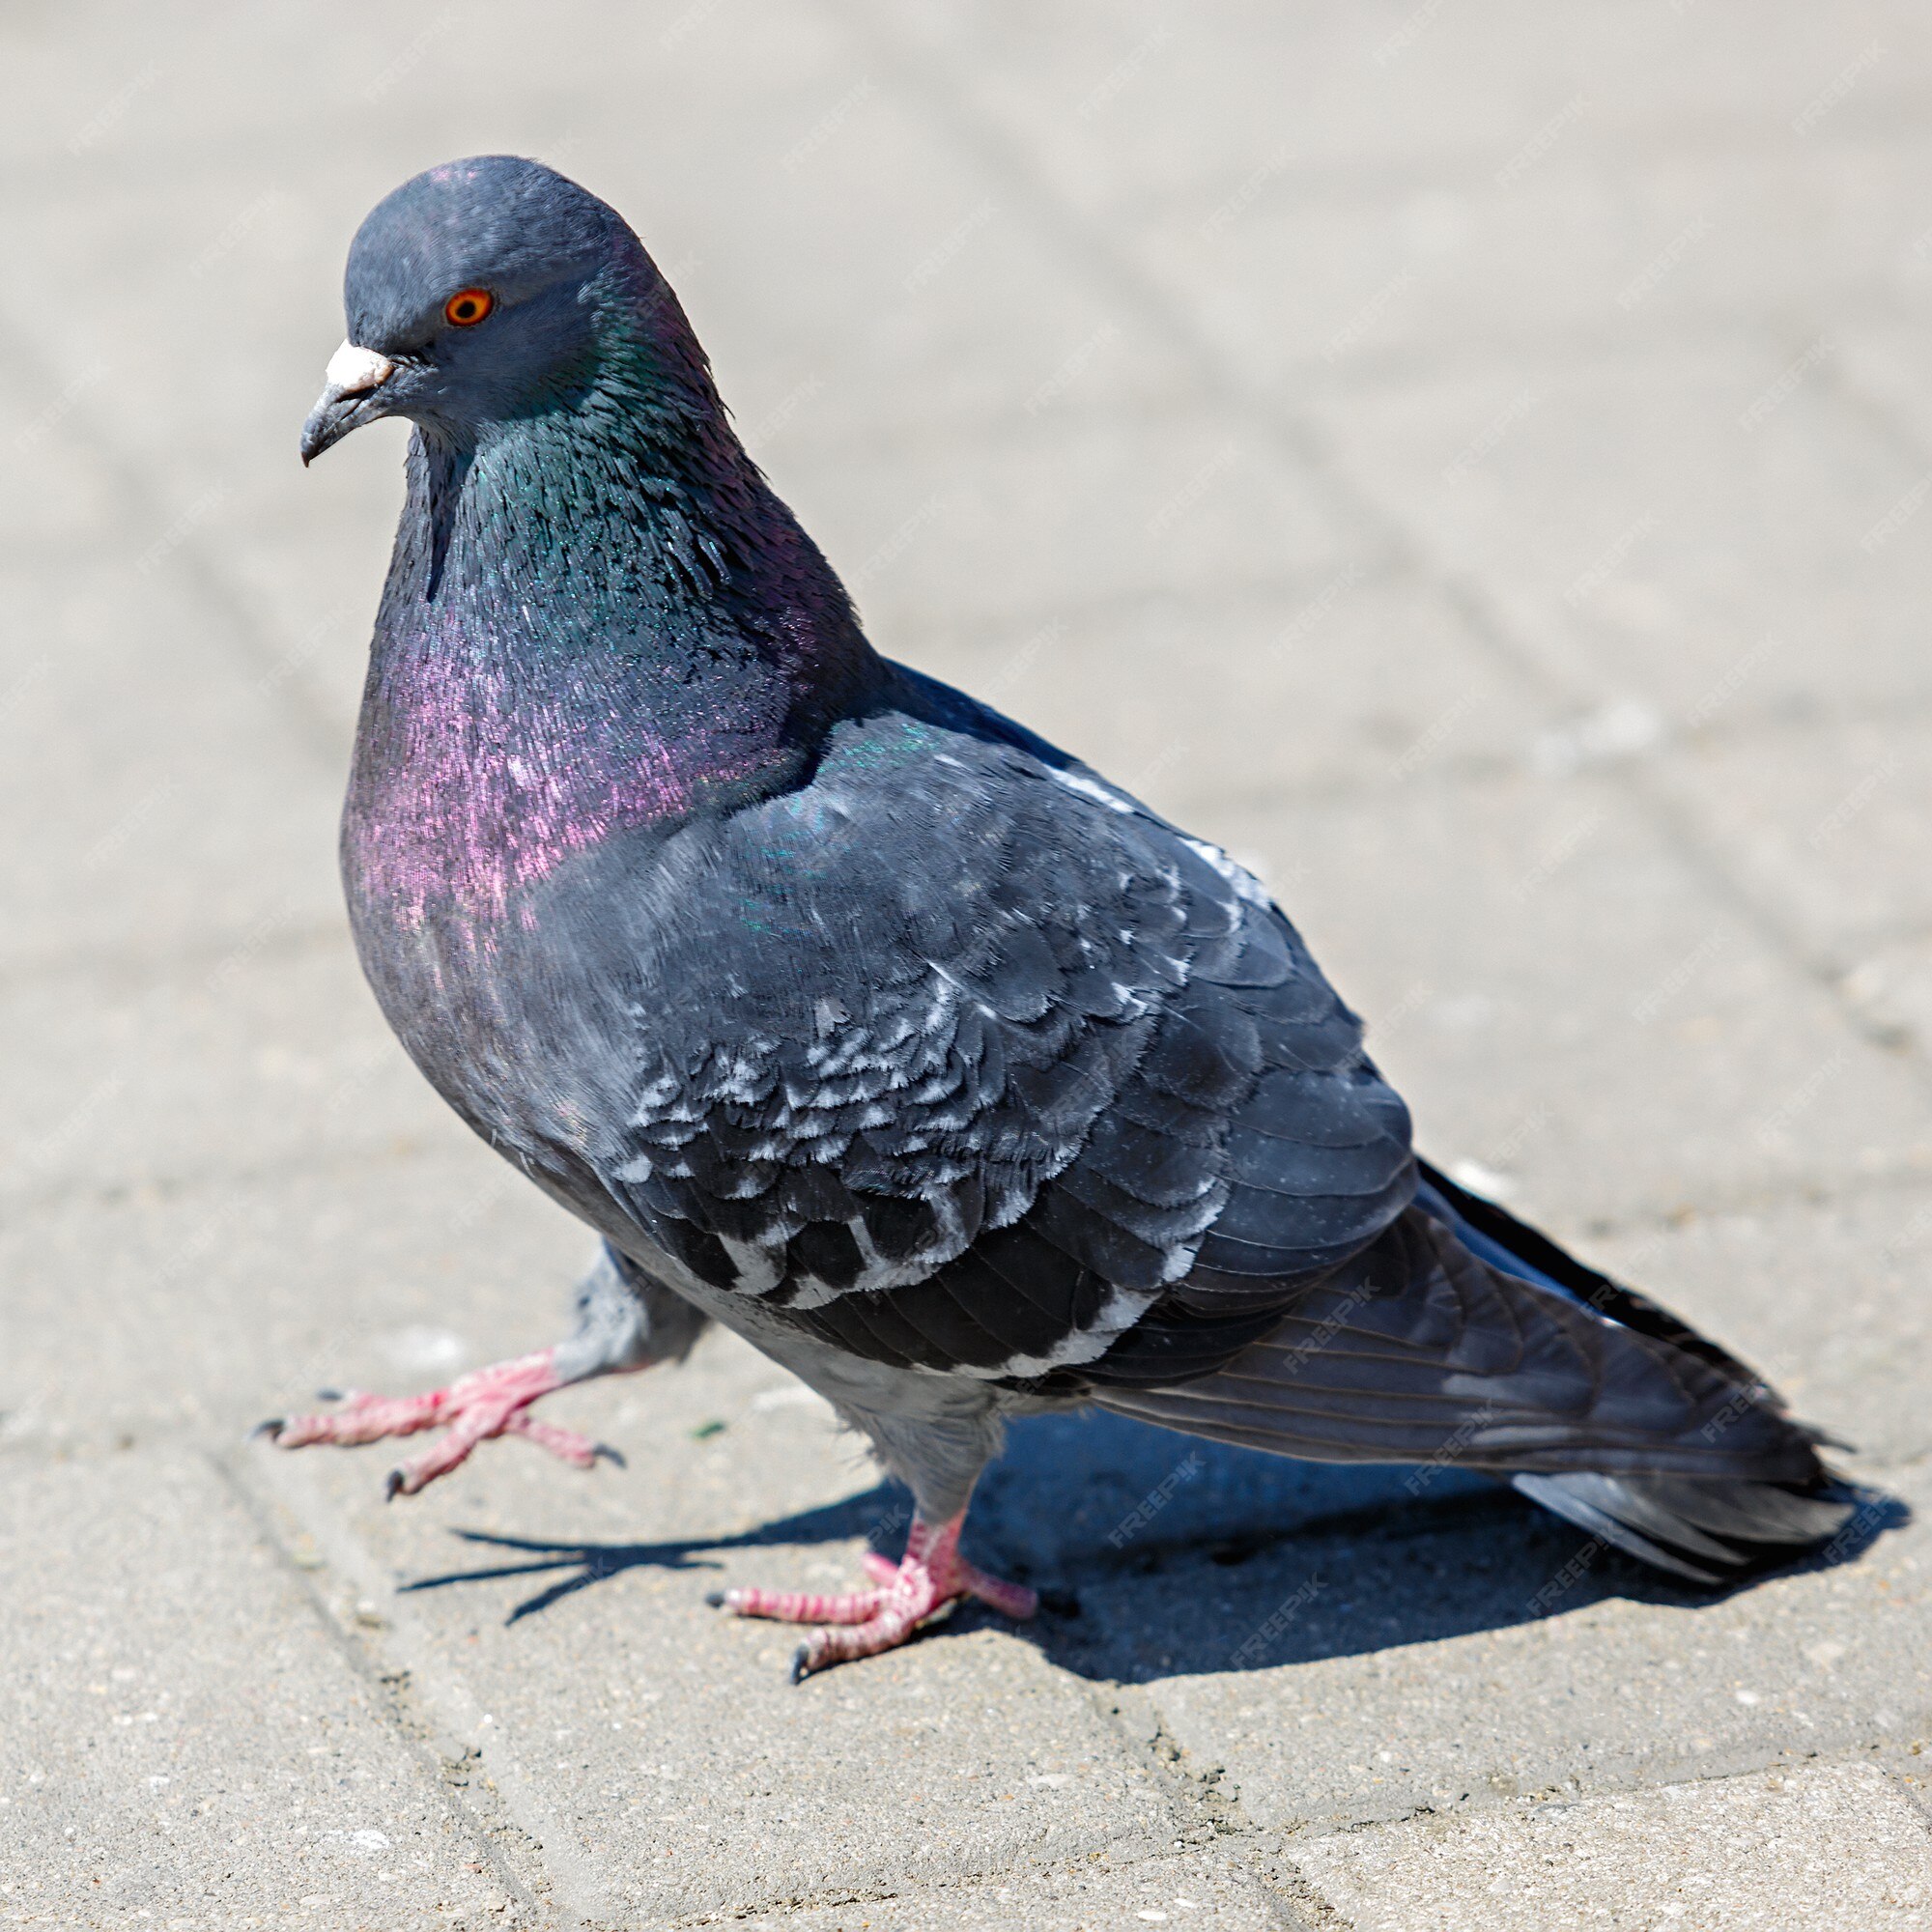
[(482, 293)]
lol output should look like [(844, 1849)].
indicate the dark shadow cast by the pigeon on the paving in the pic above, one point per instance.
[(1162, 1556)]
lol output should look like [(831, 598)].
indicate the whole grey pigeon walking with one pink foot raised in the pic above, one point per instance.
[(868, 1025)]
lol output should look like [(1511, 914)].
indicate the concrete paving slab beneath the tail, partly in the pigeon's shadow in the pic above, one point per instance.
[(1357, 1676)]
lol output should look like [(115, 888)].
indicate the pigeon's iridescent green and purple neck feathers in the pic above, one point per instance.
[(594, 623)]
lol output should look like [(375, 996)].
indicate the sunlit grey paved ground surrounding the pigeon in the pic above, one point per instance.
[(1467, 457)]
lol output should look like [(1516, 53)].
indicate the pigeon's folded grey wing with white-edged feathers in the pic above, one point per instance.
[(961, 1060)]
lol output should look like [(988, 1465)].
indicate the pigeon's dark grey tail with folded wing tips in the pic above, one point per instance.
[(1465, 1338)]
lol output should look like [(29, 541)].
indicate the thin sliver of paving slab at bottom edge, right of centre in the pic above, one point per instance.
[(1207, 1892)]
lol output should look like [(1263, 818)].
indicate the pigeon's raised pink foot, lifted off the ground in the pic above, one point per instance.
[(492, 1402)]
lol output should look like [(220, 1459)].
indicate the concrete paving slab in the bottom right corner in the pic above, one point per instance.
[(1831, 1850)]
